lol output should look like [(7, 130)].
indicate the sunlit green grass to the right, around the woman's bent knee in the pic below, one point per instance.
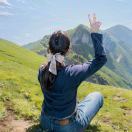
[(116, 114)]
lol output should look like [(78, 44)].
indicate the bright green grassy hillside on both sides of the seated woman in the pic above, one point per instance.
[(20, 92)]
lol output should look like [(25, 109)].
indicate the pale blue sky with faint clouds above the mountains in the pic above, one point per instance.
[(25, 21)]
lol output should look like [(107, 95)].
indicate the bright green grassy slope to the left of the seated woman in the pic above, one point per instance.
[(18, 79)]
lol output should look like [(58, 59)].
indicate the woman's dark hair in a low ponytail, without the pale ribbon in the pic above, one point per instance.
[(58, 42)]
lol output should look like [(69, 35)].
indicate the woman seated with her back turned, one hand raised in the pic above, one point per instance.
[(59, 83)]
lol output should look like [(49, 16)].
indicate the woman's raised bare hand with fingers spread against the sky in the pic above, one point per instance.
[(94, 24)]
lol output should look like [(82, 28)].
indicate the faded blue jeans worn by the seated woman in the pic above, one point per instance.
[(86, 110)]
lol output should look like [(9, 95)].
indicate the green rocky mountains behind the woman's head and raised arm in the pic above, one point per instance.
[(117, 71)]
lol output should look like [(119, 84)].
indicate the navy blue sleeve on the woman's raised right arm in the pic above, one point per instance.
[(80, 72)]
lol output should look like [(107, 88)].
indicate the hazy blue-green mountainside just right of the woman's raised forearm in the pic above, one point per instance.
[(119, 55)]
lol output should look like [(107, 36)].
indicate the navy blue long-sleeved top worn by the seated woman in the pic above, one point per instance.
[(60, 102)]
